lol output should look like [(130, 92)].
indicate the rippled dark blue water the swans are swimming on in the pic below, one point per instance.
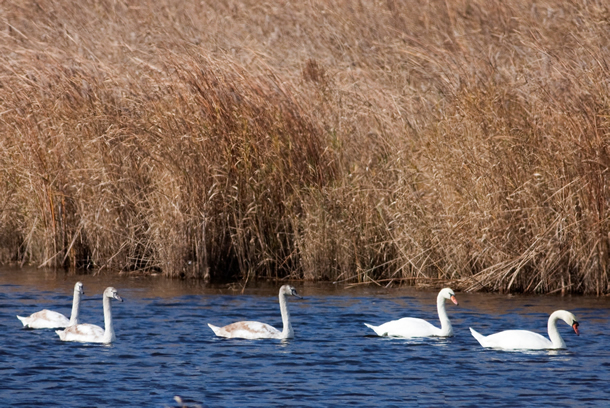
[(164, 348)]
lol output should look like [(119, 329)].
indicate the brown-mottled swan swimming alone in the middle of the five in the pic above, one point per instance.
[(256, 330)]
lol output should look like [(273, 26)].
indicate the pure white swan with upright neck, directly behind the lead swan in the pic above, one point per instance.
[(413, 327)]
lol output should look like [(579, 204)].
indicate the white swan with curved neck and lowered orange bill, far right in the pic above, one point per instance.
[(527, 340)]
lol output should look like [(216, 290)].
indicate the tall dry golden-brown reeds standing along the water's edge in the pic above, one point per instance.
[(418, 142)]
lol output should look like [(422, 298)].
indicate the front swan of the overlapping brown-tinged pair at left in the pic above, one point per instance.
[(90, 333)]
